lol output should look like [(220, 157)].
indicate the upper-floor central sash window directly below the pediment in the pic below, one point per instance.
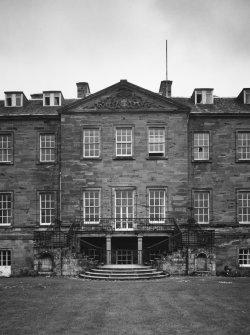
[(124, 141)]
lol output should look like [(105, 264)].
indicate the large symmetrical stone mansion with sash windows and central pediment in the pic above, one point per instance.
[(124, 176)]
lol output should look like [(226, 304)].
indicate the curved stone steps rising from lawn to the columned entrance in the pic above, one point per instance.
[(123, 272)]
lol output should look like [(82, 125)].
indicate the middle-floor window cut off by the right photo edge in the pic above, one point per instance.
[(243, 206)]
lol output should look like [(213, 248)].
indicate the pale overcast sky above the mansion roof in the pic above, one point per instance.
[(53, 44)]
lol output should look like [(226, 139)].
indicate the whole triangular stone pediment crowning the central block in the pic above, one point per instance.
[(124, 96)]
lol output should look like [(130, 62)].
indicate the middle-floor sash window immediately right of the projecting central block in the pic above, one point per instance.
[(201, 205)]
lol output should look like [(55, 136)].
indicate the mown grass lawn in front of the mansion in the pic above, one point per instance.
[(181, 305)]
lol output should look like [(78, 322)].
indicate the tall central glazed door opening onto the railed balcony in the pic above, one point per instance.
[(124, 210)]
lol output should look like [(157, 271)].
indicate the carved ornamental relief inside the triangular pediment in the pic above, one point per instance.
[(123, 99)]
